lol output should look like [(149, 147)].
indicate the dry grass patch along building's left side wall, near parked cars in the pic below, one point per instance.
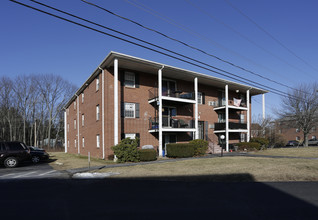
[(63, 161)]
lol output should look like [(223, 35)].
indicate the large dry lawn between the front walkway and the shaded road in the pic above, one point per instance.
[(261, 169)]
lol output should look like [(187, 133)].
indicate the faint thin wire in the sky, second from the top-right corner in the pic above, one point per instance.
[(245, 37)]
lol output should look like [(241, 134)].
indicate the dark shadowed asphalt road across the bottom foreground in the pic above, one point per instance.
[(160, 198)]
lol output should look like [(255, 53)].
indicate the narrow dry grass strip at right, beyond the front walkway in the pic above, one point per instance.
[(293, 152)]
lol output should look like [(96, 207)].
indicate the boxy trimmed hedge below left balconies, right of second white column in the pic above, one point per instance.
[(180, 150)]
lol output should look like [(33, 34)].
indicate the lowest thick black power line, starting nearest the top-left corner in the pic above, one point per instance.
[(143, 46)]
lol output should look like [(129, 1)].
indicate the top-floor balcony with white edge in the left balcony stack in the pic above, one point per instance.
[(181, 96)]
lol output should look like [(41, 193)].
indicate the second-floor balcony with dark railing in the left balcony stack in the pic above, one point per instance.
[(170, 123)]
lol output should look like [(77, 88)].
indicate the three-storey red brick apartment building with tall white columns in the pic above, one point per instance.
[(131, 97)]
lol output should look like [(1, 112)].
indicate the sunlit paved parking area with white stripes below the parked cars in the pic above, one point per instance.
[(30, 171)]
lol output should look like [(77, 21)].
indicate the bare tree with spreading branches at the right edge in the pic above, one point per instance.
[(300, 109)]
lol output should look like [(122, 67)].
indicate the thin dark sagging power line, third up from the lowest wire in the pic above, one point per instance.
[(185, 44)]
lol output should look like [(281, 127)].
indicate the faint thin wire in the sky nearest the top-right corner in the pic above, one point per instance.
[(268, 34)]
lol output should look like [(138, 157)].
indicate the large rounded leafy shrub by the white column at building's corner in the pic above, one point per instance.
[(126, 150)]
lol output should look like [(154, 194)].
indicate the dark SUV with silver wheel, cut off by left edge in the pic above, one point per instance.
[(12, 153)]
